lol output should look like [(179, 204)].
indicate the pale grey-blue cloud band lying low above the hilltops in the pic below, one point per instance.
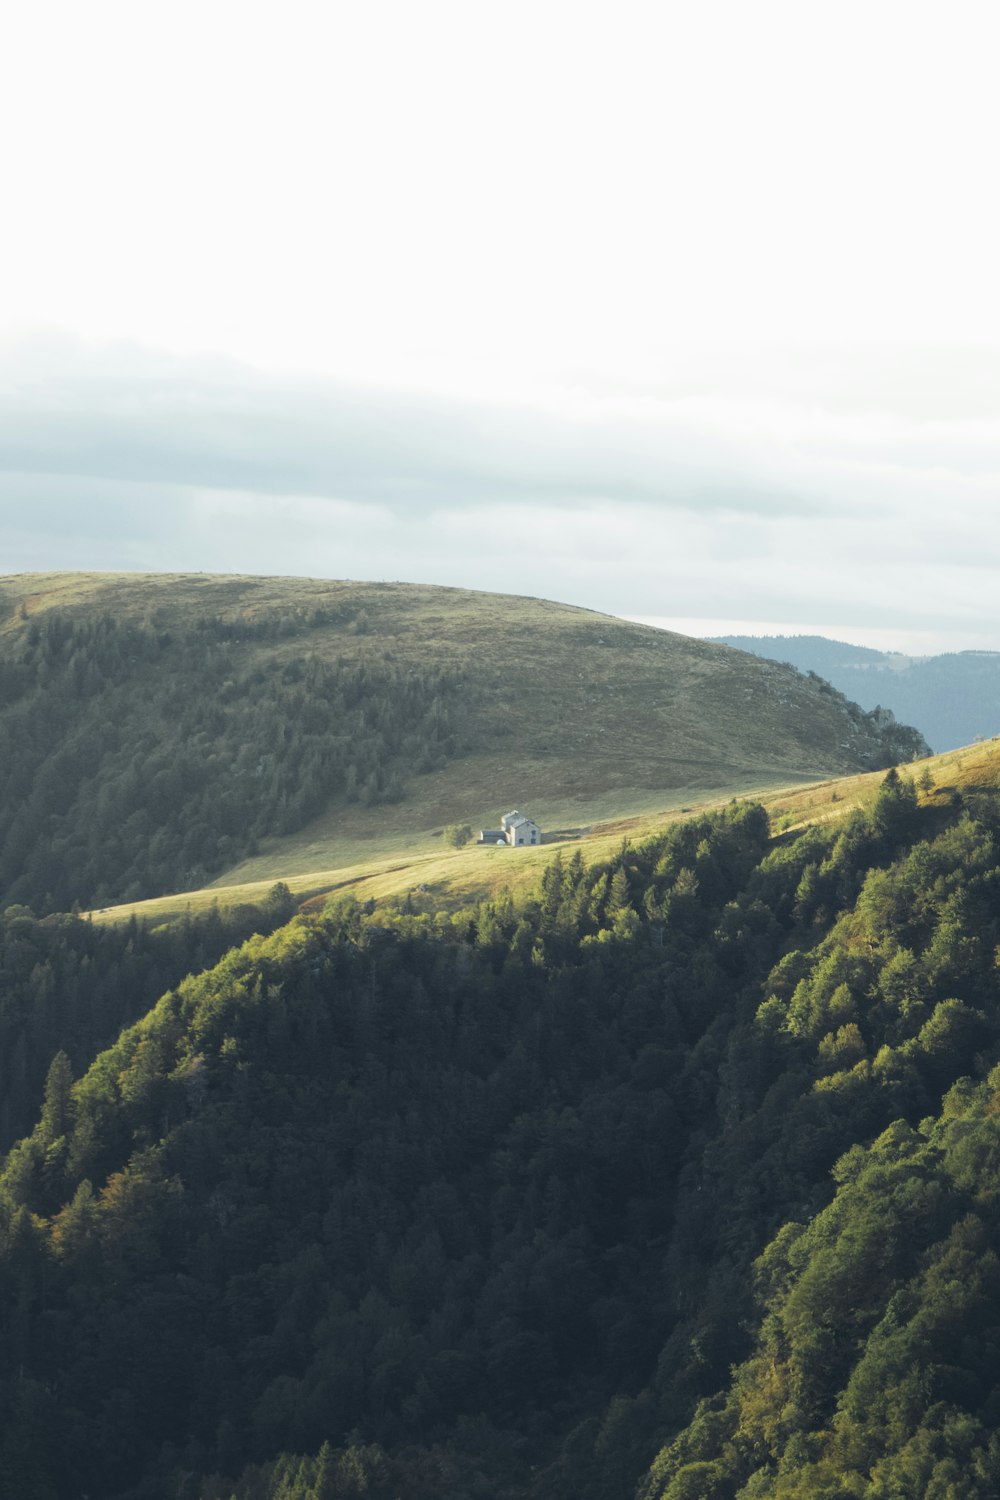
[(684, 497)]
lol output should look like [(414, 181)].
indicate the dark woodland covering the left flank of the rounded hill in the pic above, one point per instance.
[(140, 760)]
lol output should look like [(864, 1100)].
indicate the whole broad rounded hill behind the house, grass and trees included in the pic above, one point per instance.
[(158, 733)]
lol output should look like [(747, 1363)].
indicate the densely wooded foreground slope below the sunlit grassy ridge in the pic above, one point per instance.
[(413, 1205)]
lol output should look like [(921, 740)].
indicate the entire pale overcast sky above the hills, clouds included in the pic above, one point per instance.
[(686, 313)]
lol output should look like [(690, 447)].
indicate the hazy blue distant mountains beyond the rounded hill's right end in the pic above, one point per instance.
[(953, 698)]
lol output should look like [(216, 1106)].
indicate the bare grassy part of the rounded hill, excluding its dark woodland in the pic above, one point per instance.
[(570, 715)]
